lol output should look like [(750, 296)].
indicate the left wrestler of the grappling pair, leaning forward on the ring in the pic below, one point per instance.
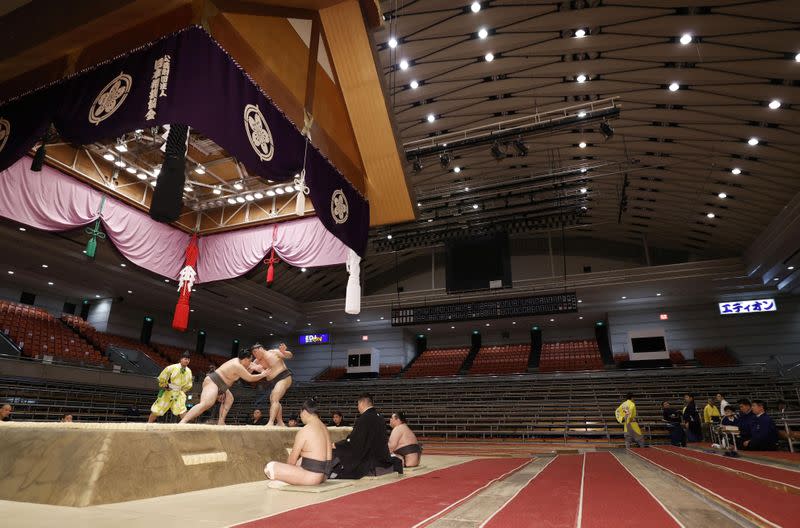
[(218, 383)]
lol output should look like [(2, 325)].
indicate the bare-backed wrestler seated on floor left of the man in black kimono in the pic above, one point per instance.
[(310, 460)]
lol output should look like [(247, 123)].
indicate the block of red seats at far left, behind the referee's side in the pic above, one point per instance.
[(38, 334)]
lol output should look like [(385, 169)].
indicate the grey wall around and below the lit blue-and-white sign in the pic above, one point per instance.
[(751, 337)]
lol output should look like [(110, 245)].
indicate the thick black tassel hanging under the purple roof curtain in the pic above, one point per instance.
[(168, 194)]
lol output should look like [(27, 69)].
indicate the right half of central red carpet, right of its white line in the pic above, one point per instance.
[(613, 497)]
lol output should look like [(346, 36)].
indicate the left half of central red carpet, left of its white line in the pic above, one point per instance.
[(549, 501)]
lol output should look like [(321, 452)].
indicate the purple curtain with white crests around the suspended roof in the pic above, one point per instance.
[(186, 78)]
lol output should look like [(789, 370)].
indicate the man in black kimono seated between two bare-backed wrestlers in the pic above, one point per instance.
[(365, 451)]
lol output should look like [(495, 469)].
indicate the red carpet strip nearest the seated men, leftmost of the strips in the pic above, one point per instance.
[(402, 504)]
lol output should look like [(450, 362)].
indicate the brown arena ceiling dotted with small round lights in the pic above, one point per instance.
[(676, 157)]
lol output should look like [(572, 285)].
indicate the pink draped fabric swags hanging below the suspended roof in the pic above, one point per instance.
[(53, 201)]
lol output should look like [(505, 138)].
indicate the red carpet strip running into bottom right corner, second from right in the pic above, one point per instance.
[(770, 505)]
